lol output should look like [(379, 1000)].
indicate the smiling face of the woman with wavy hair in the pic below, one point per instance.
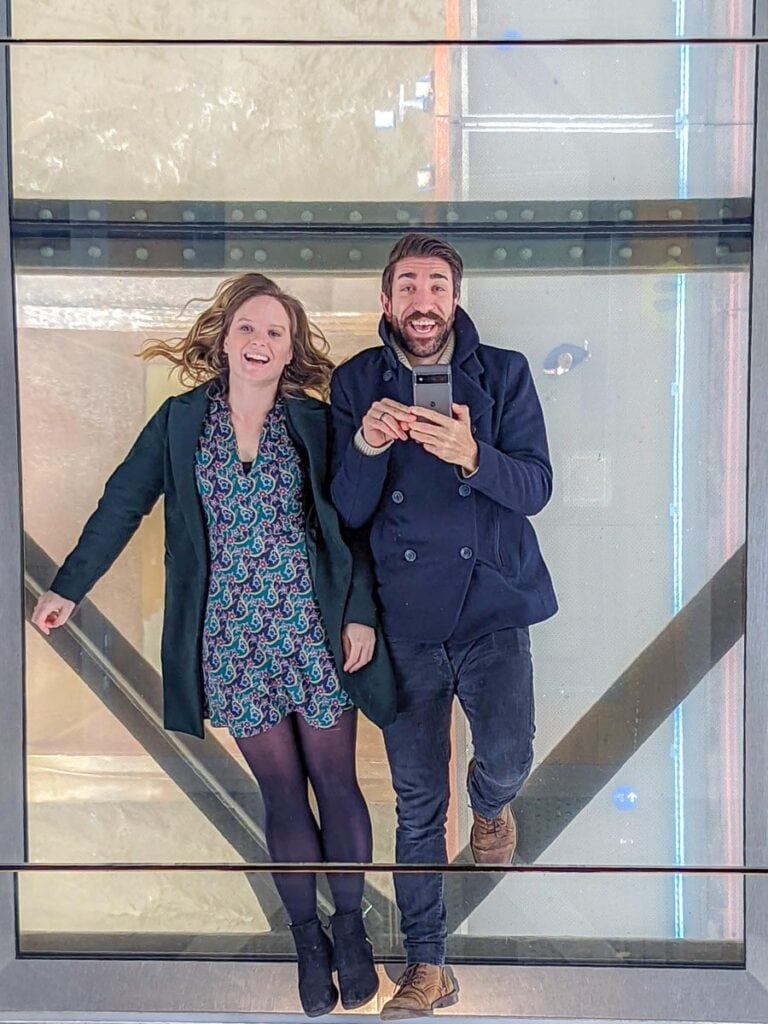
[(259, 345)]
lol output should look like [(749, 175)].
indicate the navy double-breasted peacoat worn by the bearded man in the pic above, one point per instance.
[(435, 533)]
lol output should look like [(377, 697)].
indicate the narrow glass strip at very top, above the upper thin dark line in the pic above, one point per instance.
[(374, 20)]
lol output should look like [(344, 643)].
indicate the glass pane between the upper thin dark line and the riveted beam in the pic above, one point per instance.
[(421, 123)]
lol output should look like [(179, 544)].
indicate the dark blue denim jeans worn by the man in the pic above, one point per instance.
[(494, 680)]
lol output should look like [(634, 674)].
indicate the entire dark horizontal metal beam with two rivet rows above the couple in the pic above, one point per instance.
[(572, 236)]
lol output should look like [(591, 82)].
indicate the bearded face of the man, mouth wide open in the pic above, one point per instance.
[(421, 310)]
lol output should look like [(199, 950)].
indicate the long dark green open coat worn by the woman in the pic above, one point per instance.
[(162, 462)]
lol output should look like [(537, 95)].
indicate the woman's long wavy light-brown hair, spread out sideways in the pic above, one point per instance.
[(200, 355)]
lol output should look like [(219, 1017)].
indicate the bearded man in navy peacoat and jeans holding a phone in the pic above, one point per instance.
[(459, 574)]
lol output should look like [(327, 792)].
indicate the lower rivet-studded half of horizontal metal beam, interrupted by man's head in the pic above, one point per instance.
[(289, 251)]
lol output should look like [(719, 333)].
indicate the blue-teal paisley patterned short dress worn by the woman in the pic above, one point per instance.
[(266, 651)]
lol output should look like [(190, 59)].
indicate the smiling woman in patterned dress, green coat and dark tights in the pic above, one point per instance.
[(269, 622)]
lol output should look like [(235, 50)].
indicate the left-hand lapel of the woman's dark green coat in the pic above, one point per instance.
[(185, 426)]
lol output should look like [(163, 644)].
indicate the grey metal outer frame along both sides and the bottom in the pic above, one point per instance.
[(37, 990)]
